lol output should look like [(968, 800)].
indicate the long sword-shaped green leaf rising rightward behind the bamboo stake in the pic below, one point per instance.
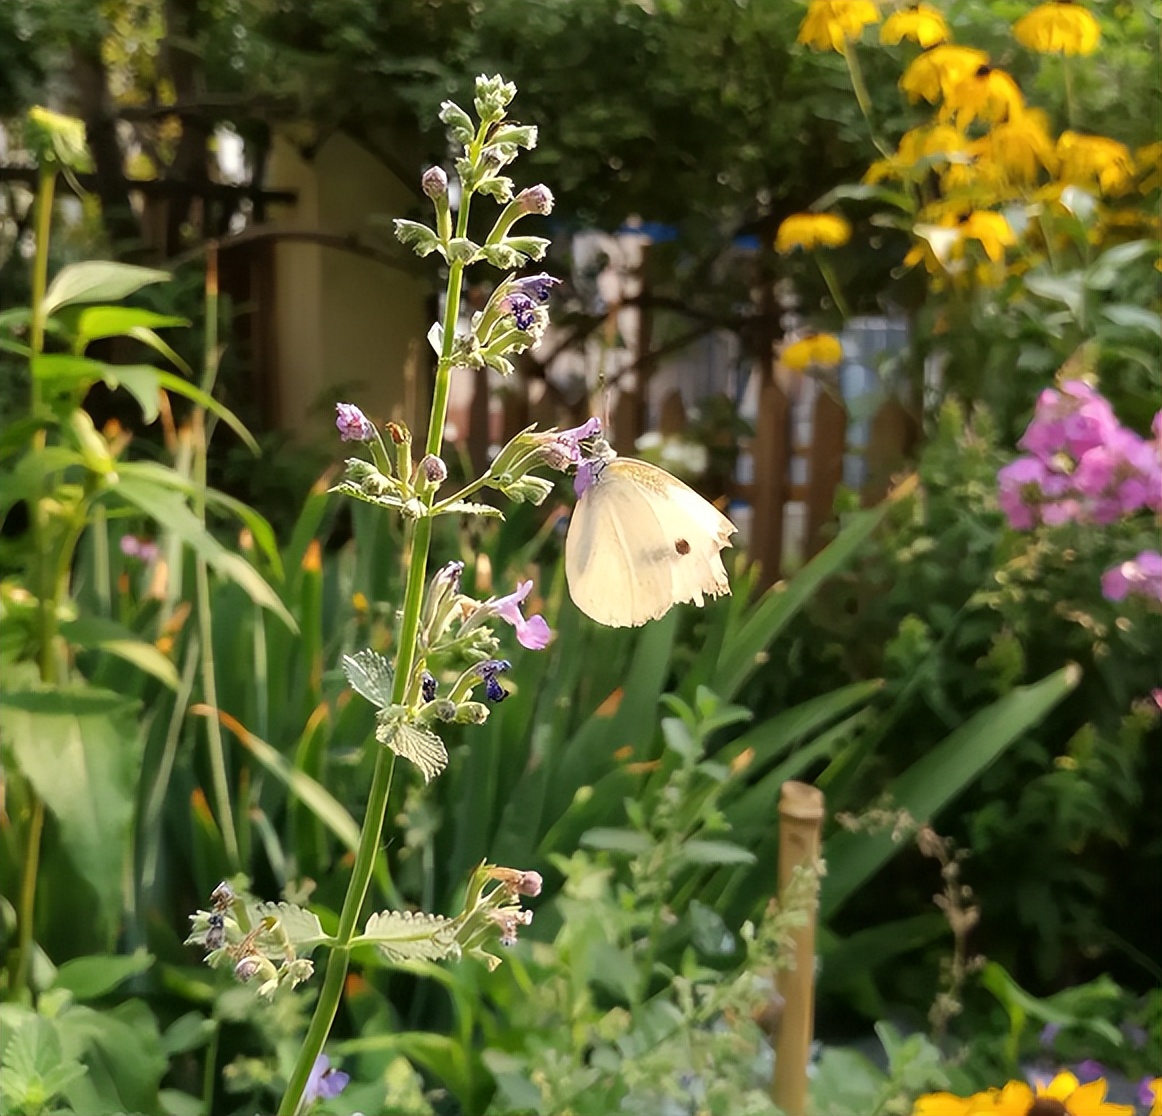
[(934, 782)]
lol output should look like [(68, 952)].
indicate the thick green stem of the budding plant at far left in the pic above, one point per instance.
[(44, 580)]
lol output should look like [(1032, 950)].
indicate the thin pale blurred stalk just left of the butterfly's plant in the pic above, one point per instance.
[(219, 777)]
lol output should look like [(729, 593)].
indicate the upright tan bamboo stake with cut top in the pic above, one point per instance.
[(800, 822)]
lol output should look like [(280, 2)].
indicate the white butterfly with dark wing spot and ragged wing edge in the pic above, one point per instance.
[(642, 542)]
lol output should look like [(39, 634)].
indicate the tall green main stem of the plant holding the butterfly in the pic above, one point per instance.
[(417, 562)]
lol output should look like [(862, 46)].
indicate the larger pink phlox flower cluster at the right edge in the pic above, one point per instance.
[(1081, 464)]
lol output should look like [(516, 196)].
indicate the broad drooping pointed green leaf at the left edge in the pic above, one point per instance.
[(81, 748)]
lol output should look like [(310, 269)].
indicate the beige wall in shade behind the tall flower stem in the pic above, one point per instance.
[(343, 324)]
